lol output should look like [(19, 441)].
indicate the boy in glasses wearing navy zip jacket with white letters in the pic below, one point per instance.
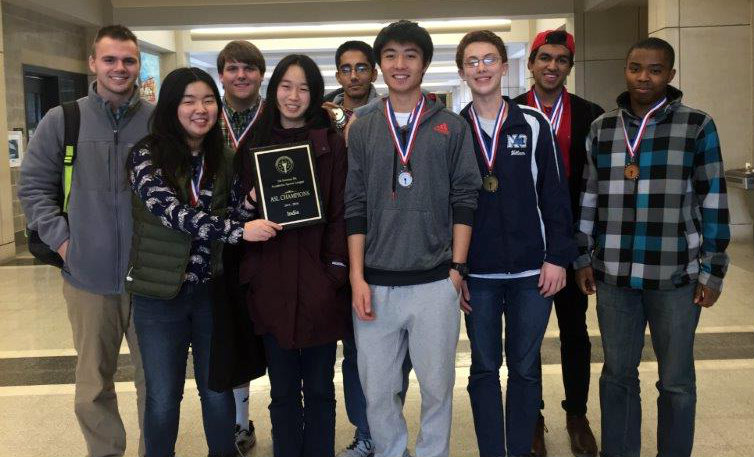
[(521, 244)]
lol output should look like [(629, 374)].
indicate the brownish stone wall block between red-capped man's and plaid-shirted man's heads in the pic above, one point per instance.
[(608, 34)]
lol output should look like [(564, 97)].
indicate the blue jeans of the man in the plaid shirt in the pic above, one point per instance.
[(623, 315)]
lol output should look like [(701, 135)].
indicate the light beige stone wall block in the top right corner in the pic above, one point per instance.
[(719, 12)]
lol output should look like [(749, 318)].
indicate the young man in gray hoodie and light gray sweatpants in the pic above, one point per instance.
[(411, 193)]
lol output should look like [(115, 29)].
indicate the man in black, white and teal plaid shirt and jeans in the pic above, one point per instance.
[(652, 239)]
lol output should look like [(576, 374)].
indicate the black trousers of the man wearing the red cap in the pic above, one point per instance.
[(575, 347)]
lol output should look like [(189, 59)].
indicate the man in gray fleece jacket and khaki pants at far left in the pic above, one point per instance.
[(95, 239)]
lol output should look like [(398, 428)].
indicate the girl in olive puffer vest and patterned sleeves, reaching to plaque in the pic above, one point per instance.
[(185, 207)]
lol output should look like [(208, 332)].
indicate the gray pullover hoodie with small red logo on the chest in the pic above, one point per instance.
[(409, 230)]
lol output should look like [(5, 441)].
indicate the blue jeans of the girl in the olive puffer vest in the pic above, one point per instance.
[(165, 329)]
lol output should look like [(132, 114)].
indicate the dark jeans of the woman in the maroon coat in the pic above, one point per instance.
[(301, 429)]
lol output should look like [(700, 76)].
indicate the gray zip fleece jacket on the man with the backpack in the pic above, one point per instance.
[(99, 224)]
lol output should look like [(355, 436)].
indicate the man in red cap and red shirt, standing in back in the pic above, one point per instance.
[(550, 63)]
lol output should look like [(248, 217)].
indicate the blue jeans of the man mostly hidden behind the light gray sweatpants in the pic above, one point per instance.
[(356, 403)]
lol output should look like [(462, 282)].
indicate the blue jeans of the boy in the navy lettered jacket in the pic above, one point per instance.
[(526, 314)]
